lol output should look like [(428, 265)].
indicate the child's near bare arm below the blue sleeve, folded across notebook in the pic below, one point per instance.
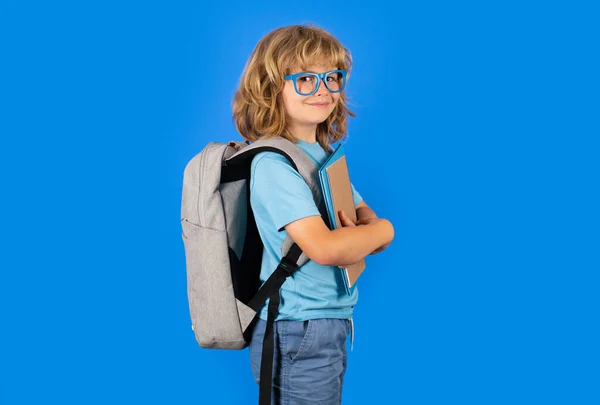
[(340, 246)]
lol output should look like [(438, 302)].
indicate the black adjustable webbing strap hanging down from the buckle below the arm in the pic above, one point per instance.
[(270, 289)]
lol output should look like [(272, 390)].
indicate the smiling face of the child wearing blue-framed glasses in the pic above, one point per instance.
[(305, 111)]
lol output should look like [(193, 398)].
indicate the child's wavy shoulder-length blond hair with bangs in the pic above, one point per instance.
[(258, 110)]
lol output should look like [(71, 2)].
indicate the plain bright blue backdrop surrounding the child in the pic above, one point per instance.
[(476, 135)]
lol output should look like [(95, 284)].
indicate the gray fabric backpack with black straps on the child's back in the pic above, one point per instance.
[(224, 251)]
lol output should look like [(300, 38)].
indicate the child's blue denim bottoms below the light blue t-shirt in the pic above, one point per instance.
[(309, 361)]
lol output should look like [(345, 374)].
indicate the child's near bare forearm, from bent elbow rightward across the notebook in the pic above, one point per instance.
[(350, 244)]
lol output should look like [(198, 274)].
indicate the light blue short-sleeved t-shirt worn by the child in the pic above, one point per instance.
[(279, 195)]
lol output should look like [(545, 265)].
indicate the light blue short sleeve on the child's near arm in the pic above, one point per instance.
[(280, 190)]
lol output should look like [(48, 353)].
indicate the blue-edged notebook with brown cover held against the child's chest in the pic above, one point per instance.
[(337, 193)]
